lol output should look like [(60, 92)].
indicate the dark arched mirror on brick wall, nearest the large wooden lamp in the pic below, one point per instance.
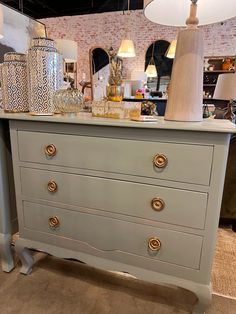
[(156, 52)]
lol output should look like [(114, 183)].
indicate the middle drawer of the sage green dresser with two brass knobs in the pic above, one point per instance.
[(141, 200)]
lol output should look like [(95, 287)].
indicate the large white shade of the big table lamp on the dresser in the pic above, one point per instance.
[(174, 12)]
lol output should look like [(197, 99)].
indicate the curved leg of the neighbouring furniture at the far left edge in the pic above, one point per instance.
[(6, 252)]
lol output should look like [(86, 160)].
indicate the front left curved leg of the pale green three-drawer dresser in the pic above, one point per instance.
[(26, 258)]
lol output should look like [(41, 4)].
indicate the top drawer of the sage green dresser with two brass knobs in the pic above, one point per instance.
[(177, 162)]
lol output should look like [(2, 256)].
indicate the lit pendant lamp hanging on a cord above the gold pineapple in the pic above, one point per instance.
[(126, 49)]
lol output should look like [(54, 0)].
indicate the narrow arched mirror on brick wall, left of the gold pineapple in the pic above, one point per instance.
[(99, 72)]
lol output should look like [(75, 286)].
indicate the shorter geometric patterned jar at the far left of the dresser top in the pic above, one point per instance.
[(14, 82)]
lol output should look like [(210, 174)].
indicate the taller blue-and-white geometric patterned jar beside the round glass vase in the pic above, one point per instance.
[(45, 75)]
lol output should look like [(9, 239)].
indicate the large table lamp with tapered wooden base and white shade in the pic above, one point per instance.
[(186, 87)]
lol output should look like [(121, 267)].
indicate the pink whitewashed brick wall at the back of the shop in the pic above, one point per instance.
[(107, 29)]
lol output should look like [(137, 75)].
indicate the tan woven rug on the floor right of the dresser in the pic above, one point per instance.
[(224, 267)]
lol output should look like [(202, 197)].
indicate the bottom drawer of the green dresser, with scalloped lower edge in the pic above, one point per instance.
[(113, 235)]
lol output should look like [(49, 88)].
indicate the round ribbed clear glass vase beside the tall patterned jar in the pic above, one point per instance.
[(70, 101)]
